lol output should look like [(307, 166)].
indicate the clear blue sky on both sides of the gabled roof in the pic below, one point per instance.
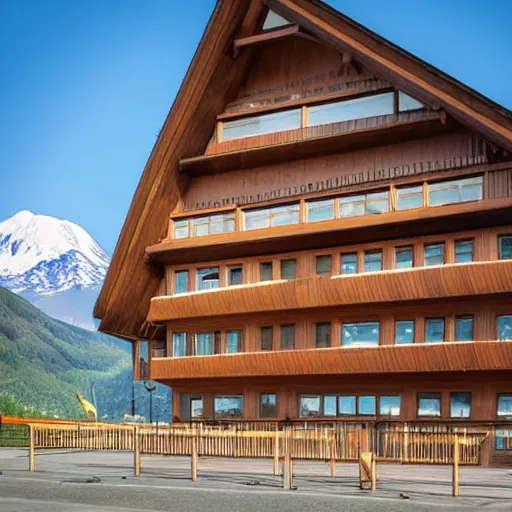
[(85, 87)]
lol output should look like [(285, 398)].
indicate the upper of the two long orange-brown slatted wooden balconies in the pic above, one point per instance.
[(446, 281)]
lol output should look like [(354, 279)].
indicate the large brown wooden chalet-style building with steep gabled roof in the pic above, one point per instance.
[(322, 231)]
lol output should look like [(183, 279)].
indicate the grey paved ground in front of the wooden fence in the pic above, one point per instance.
[(104, 481)]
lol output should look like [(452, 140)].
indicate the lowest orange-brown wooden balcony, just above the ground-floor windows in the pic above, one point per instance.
[(442, 357)]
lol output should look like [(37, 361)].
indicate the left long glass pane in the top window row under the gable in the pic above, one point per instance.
[(260, 125)]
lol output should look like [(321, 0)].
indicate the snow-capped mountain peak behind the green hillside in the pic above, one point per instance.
[(53, 263)]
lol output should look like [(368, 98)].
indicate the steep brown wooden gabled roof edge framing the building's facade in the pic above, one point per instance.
[(213, 80)]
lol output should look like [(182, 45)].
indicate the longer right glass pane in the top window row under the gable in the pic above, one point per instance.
[(359, 108)]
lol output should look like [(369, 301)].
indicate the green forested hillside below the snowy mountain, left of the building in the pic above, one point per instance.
[(44, 362)]
